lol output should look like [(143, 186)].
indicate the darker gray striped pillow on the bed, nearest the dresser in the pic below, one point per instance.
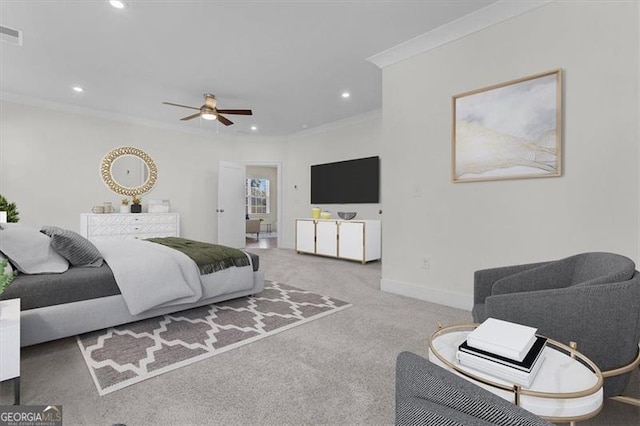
[(74, 247)]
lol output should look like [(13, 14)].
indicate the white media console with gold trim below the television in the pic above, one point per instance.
[(345, 239)]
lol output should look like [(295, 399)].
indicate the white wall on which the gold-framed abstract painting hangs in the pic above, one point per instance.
[(468, 226)]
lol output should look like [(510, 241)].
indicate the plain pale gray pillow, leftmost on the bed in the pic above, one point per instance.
[(30, 251)]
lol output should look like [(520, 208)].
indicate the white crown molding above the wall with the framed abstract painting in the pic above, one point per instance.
[(486, 17)]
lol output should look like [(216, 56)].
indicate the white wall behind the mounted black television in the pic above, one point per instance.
[(354, 138)]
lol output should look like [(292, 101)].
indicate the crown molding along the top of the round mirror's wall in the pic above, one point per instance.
[(106, 115)]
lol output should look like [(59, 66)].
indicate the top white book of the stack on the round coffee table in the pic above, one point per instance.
[(503, 338)]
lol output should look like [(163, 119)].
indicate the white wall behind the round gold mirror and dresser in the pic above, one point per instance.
[(50, 163)]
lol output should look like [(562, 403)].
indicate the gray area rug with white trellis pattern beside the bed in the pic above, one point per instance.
[(121, 356)]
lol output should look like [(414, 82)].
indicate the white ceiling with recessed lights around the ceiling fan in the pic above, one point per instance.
[(288, 61)]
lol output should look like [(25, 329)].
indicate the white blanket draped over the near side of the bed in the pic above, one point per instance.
[(151, 275)]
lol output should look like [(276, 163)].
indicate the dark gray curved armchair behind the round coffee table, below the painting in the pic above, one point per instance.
[(592, 299)]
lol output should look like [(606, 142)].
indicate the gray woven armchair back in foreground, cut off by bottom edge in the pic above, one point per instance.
[(430, 395)]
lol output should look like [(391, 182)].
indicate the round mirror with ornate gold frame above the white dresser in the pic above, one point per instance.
[(128, 171)]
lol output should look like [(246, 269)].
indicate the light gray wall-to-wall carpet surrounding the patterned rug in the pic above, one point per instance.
[(339, 370)]
